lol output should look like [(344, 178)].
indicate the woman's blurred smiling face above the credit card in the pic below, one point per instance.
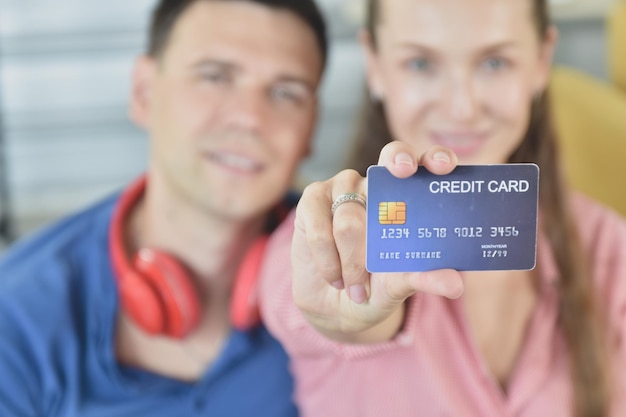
[(459, 73)]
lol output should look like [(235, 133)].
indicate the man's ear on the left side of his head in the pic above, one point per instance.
[(141, 90)]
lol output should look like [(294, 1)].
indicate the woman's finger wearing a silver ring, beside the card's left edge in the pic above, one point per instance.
[(349, 221)]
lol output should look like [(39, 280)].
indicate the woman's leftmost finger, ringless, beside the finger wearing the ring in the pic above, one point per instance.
[(314, 225)]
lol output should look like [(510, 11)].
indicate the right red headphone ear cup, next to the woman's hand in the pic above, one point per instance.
[(244, 305)]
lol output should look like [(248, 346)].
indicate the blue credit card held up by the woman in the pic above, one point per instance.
[(477, 218)]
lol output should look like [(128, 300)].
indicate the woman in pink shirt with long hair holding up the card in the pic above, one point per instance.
[(450, 80)]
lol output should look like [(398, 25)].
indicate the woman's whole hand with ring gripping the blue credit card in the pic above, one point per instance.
[(330, 284)]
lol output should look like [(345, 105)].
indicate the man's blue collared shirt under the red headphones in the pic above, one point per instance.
[(58, 309)]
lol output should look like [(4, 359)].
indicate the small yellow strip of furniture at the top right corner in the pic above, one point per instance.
[(616, 38)]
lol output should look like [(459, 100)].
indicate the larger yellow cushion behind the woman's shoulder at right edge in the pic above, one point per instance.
[(590, 117)]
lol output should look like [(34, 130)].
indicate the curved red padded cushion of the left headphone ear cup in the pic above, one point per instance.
[(173, 289)]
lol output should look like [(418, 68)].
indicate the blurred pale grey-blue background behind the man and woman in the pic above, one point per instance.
[(66, 141)]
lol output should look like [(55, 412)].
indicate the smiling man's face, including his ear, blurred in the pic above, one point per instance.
[(230, 106)]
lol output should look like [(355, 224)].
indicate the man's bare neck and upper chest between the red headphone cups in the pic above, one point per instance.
[(211, 247)]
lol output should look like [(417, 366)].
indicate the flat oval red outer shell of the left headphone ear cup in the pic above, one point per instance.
[(141, 303)]
